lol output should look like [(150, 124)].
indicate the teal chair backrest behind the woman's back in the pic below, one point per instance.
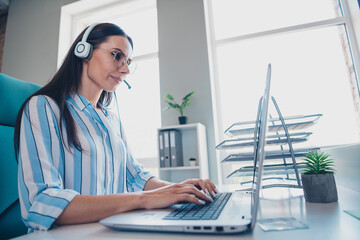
[(13, 93)]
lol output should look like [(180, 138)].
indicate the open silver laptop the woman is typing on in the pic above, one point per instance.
[(239, 208)]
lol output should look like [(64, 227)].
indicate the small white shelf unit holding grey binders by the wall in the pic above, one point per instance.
[(194, 145)]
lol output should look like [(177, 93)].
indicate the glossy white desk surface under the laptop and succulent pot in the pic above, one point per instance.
[(325, 221)]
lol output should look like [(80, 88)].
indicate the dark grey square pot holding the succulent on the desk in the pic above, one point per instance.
[(319, 188)]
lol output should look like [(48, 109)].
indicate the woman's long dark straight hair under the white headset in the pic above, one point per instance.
[(67, 79)]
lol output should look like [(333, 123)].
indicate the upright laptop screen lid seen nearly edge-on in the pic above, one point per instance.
[(259, 146)]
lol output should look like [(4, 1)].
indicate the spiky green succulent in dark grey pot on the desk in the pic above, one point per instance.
[(318, 178)]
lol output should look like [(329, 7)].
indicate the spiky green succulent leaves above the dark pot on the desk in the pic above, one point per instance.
[(318, 163)]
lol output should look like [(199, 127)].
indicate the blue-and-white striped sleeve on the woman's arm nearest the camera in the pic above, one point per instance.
[(41, 166)]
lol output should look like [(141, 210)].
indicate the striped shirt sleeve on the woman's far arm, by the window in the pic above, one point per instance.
[(136, 176)]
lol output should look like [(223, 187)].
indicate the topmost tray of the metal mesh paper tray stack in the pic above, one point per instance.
[(292, 123)]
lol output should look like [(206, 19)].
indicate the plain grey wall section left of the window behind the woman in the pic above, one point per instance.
[(31, 40)]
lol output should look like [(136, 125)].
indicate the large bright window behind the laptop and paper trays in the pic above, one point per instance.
[(313, 71)]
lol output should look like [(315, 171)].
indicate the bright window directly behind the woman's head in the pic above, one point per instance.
[(139, 107)]
